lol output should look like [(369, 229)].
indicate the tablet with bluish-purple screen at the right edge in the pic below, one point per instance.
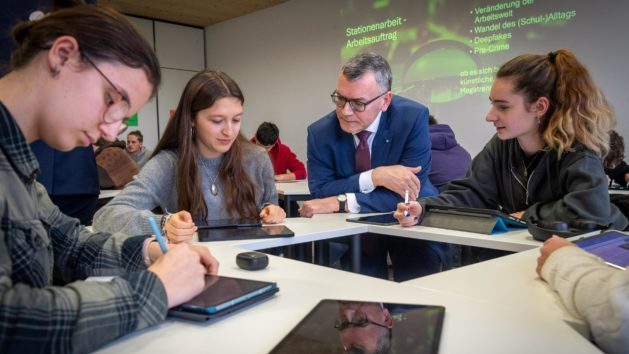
[(612, 246)]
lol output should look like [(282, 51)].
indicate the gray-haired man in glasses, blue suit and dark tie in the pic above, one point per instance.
[(392, 132)]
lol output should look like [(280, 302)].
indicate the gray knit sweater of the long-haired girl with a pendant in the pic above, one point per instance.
[(155, 185)]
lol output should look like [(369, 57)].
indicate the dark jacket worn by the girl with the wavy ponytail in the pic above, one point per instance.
[(573, 187)]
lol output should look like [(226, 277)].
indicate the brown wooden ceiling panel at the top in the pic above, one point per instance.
[(199, 13)]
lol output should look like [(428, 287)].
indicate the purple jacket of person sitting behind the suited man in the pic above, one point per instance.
[(449, 159)]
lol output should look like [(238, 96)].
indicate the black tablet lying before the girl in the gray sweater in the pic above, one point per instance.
[(244, 233)]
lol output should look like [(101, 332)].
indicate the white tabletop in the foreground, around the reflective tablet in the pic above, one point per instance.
[(471, 325)]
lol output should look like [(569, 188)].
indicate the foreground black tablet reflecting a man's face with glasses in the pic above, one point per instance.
[(337, 326)]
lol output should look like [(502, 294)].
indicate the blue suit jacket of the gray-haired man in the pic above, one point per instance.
[(402, 139)]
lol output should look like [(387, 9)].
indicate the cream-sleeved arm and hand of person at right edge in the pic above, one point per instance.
[(590, 289)]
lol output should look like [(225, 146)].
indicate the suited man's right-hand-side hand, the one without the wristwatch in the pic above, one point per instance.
[(398, 179)]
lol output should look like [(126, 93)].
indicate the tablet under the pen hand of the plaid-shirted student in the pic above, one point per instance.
[(223, 295)]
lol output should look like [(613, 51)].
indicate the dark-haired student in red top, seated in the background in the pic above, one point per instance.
[(285, 163)]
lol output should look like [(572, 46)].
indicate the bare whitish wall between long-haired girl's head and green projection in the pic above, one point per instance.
[(284, 64)]
